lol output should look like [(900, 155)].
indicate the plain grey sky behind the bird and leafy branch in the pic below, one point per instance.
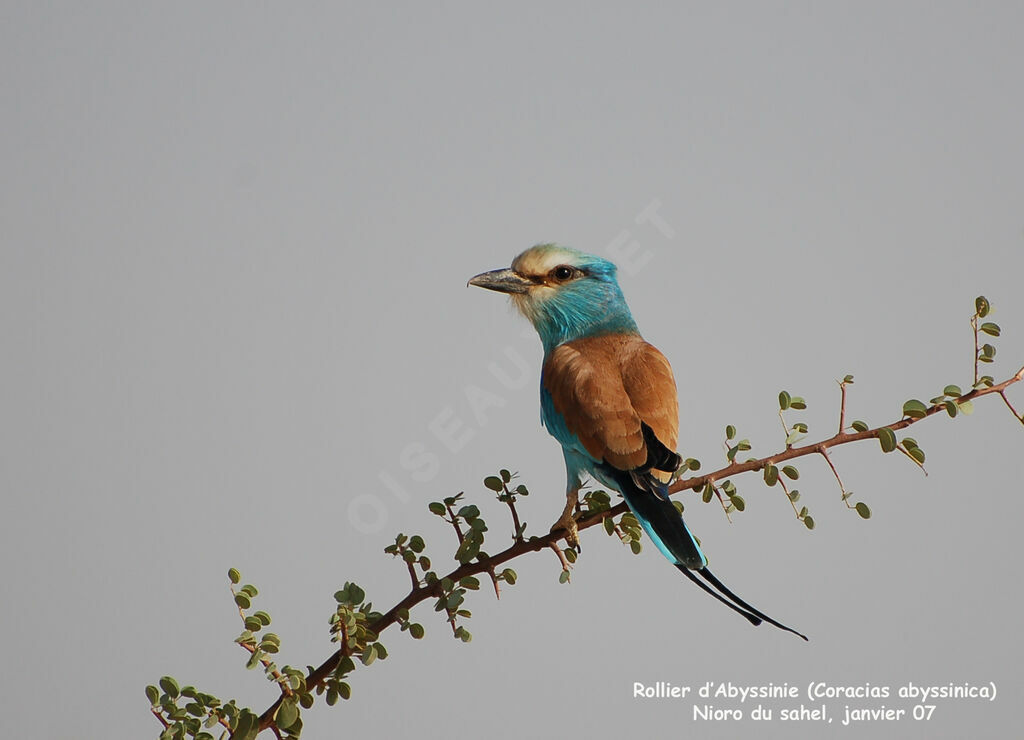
[(233, 264)]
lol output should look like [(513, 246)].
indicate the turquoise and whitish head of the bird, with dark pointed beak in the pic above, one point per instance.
[(566, 294)]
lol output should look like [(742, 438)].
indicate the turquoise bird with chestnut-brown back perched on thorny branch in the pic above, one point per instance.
[(610, 399)]
